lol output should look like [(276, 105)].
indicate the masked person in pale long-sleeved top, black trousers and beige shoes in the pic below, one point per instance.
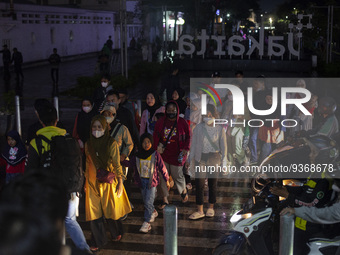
[(209, 148)]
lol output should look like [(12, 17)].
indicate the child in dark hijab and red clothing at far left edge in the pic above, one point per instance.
[(13, 156)]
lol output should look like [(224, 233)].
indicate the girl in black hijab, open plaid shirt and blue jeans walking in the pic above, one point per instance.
[(149, 165)]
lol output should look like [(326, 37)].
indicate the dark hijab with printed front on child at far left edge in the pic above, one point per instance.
[(14, 155)]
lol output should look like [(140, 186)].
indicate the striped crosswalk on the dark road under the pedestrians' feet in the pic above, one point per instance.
[(194, 237)]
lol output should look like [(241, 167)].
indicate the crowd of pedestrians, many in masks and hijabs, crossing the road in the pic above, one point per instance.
[(156, 151)]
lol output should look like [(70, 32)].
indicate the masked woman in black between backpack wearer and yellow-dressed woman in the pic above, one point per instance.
[(81, 128)]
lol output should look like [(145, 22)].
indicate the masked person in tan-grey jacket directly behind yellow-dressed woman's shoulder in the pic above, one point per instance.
[(120, 133)]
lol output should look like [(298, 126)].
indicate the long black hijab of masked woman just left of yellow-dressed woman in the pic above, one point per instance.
[(84, 121)]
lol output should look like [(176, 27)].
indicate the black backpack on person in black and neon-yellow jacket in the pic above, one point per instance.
[(64, 160)]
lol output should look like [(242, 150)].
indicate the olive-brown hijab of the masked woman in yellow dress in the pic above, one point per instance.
[(100, 148)]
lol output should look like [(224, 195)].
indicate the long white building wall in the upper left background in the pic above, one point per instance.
[(36, 29)]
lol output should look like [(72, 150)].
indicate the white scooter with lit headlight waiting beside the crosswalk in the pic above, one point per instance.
[(254, 229)]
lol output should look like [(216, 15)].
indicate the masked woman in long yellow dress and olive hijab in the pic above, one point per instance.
[(104, 200)]
